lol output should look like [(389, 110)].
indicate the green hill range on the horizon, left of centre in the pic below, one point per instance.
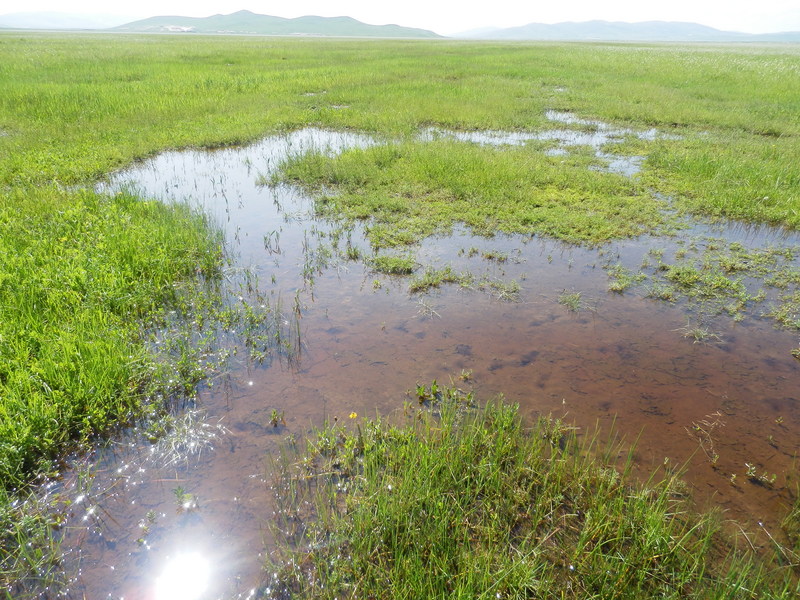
[(245, 21)]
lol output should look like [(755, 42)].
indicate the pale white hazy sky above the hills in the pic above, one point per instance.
[(451, 16)]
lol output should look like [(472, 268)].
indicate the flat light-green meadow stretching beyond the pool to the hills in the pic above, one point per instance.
[(68, 101)]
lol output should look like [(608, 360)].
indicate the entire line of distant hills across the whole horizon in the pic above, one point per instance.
[(246, 22)]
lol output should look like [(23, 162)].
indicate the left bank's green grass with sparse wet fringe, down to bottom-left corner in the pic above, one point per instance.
[(86, 281)]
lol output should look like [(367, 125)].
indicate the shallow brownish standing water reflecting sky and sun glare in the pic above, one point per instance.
[(561, 344)]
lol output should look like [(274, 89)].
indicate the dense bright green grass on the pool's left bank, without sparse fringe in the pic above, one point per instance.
[(81, 278)]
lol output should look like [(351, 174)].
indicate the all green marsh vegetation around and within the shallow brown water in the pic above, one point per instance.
[(93, 284)]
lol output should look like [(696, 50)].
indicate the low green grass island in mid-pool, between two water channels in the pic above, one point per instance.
[(405, 192)]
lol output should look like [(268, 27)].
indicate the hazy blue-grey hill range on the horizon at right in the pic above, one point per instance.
[(648, 31)]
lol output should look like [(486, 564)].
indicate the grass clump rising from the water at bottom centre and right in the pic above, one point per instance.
[(469, 503)]
